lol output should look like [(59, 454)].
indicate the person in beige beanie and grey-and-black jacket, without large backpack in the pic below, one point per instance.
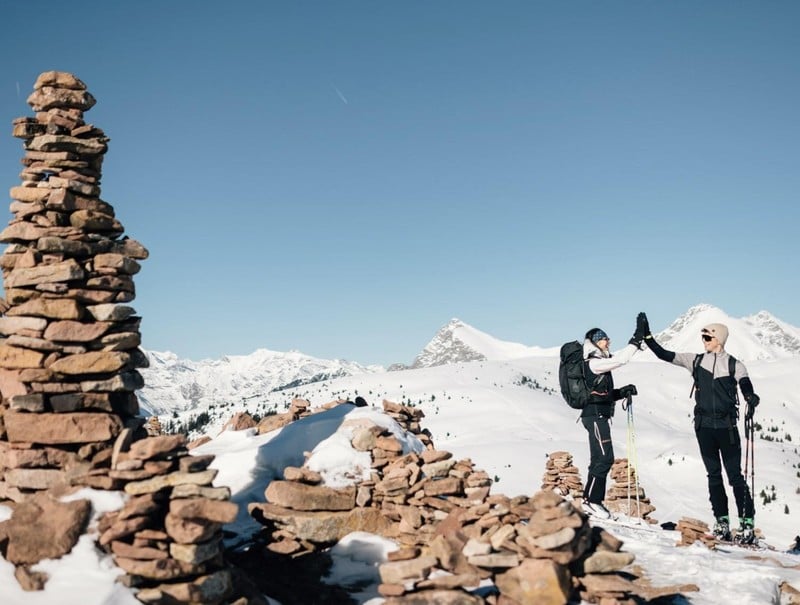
[(716, 375)]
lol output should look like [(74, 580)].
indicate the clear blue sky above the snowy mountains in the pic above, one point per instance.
[(343, 178)]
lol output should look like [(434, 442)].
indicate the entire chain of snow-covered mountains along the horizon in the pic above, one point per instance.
[(176, 385)]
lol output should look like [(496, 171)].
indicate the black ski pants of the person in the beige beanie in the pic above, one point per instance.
[(720, 447)]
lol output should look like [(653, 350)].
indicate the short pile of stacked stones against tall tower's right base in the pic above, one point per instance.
[(168, 535)]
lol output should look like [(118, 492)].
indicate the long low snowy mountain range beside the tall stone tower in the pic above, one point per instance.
[(173, 384)]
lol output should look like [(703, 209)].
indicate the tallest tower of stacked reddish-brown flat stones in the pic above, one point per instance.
[(70, 344)]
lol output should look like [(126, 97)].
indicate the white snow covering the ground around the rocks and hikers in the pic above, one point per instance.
[(507, 416)]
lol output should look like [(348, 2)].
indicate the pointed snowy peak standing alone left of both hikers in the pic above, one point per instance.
[(459, 342)]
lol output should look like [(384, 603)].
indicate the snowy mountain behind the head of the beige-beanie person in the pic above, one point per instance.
[(759, 336)]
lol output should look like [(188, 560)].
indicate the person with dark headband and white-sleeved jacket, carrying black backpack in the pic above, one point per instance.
[(596, 416)]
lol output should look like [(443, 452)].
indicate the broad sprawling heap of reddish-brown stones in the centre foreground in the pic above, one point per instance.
[(451, 531)]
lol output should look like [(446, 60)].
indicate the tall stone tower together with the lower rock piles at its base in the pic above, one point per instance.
[(69, 354)]
